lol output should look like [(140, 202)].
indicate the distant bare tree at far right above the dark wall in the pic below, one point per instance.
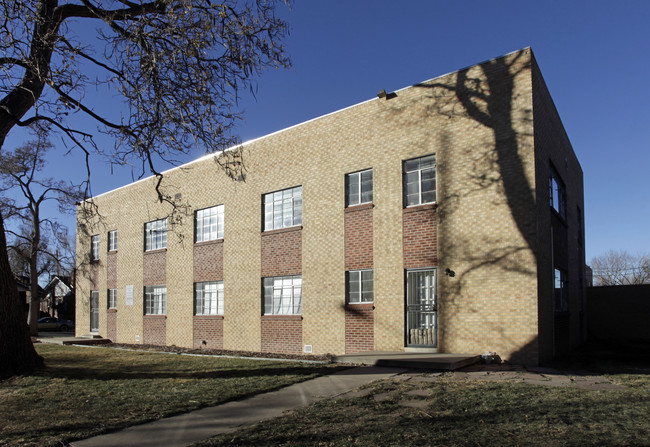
[(616, 268)]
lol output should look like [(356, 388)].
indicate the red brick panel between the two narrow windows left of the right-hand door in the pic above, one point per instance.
[(358, 237)]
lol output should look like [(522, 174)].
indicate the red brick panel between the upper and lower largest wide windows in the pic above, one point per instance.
[(282, 252)]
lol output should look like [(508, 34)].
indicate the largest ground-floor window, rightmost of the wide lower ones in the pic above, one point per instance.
[(283, 295)]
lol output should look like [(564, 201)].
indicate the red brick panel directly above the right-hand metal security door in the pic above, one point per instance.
[(420, 236)]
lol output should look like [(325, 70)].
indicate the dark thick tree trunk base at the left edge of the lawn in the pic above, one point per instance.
[(17, 353)]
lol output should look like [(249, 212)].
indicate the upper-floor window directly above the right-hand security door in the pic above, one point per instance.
[(420, 180)]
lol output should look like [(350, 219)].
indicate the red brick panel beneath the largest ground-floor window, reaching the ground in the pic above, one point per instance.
[(282, 334)]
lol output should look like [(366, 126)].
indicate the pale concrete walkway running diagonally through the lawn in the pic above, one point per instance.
[(201, 424)]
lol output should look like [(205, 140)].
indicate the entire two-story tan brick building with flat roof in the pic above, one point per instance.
[(446, 216)]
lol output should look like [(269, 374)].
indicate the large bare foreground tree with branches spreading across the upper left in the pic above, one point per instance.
[(177, 66)]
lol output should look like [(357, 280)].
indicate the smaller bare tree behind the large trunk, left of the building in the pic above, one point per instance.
[(21, 171)]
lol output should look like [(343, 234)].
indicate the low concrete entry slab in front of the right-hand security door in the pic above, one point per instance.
[(419, 360)]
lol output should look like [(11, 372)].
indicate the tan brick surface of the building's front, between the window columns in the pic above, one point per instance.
[(486, 230)]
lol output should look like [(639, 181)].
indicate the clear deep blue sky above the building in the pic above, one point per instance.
[(594, 55)]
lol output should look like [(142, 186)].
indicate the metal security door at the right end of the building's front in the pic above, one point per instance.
[(421, 308)]
